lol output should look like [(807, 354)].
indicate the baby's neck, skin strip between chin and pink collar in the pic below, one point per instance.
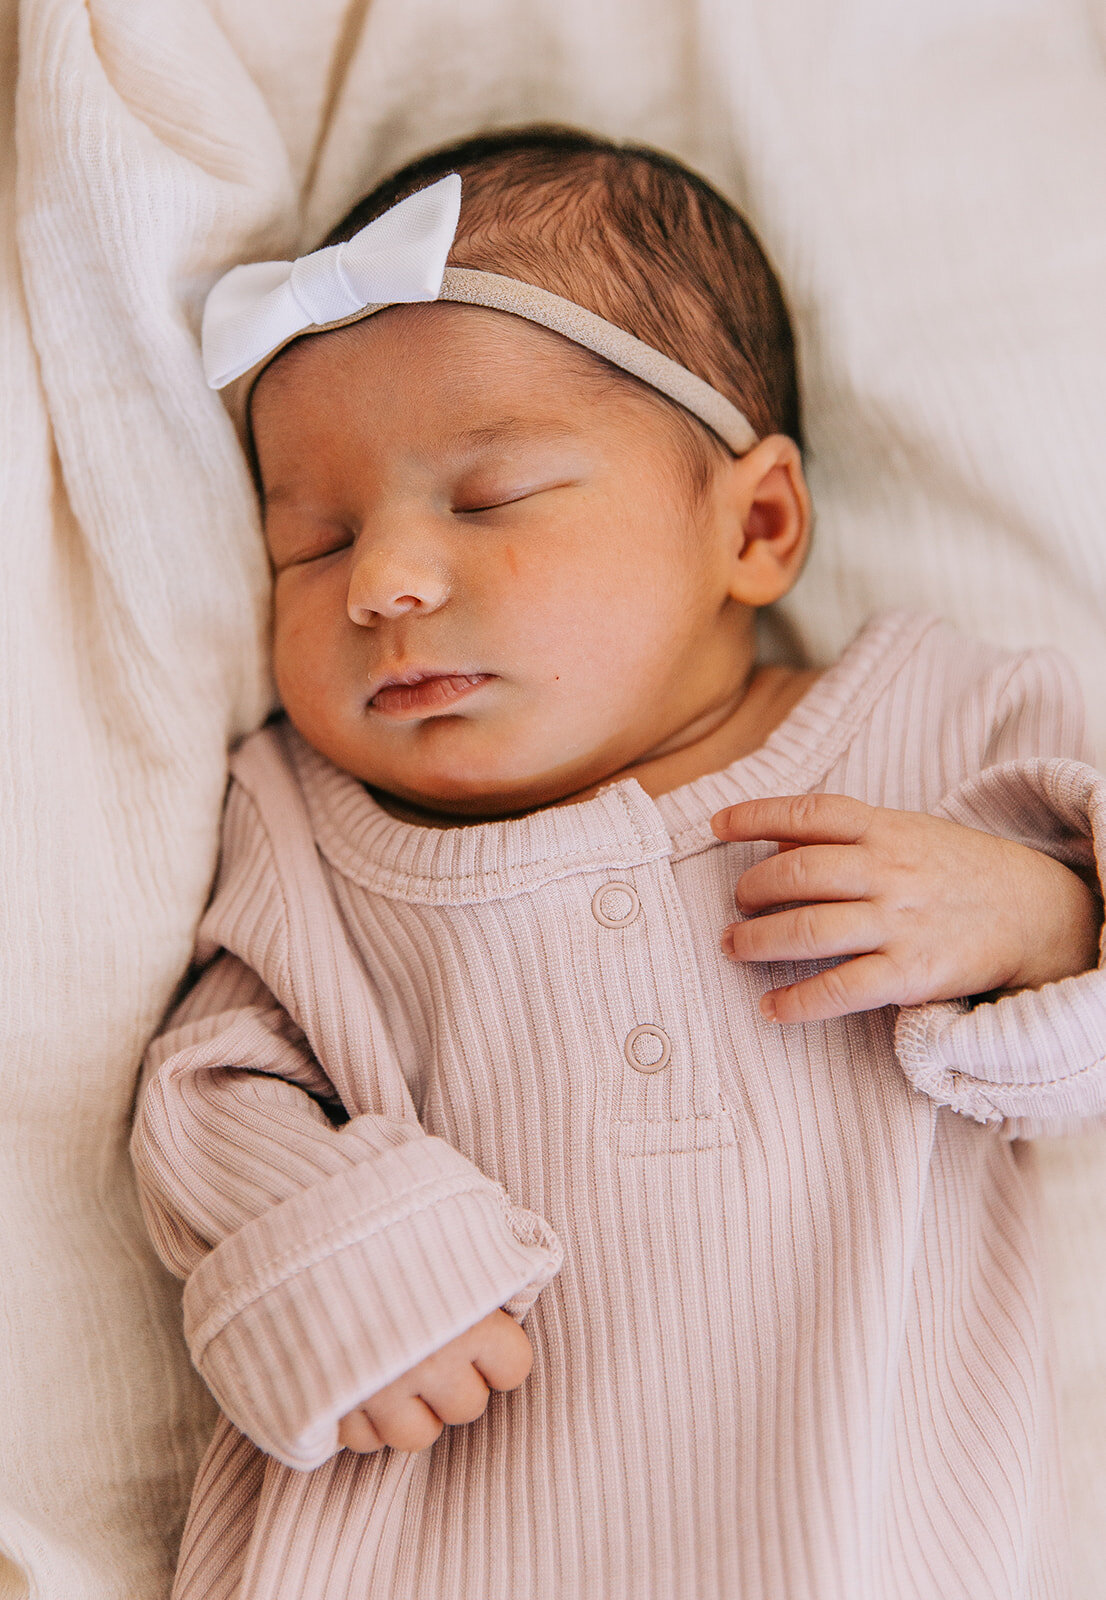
[(769, 697)]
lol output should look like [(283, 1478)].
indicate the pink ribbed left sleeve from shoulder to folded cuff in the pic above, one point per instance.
[(327, 1241)]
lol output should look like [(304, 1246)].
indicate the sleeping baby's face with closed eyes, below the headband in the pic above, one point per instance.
[(495, 585)]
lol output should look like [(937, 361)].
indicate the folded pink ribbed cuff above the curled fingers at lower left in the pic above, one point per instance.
[(321, 1302)]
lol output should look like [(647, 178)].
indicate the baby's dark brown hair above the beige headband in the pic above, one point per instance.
[(631, 236)]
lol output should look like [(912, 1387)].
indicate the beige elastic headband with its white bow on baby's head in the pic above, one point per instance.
[(399, 258)]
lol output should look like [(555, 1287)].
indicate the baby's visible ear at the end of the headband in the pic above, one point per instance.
[(771, 519)]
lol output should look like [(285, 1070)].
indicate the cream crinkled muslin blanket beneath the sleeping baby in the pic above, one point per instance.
[(932, 185)]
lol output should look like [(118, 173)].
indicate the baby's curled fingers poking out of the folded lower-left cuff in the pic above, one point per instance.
[(451, 1386)]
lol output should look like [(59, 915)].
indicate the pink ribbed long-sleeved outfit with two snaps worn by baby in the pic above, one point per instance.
[(782, 1284)]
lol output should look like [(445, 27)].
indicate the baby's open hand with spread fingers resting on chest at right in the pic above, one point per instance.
[(928, 910)]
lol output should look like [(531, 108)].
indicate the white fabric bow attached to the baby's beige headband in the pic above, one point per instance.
[(398, 258)]
